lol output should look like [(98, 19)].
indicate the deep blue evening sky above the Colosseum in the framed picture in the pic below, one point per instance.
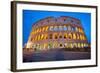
[(31, 16)]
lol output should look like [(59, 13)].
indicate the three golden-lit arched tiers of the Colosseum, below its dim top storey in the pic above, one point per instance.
[(57, 36)]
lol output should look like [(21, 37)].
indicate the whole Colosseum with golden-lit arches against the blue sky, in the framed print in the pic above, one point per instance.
[(62, 32)]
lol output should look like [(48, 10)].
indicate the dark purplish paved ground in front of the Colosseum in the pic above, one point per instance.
[(54, 56)]
